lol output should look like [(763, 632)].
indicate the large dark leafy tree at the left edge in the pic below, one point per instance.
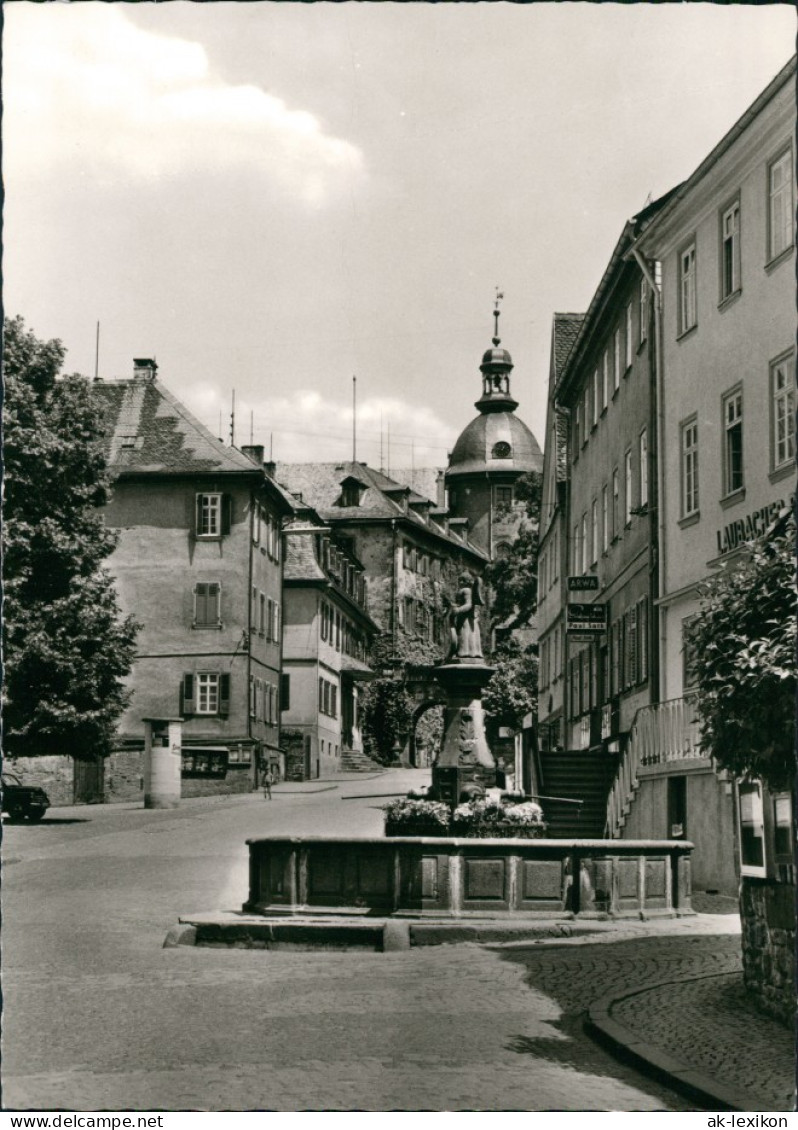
[(67, 647)]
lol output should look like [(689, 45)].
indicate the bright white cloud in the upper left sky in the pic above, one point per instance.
[(86, 93)]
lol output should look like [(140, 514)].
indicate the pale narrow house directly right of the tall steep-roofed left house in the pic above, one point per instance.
[(327, 642)]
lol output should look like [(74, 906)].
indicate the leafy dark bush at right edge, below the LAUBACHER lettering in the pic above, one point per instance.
[(744, 647)]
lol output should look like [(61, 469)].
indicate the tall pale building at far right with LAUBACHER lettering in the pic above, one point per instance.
[(725, 248)]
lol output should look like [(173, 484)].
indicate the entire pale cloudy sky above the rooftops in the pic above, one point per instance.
[(273, 198)]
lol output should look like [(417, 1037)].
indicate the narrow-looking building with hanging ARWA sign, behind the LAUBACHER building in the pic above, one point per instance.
[(605, 390)]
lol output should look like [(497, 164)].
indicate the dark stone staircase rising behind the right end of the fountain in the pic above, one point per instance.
[(576, 775)]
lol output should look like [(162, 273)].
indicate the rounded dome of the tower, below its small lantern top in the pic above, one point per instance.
[(496, 441)]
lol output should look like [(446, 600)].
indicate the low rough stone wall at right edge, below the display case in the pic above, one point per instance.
[(768, 914)]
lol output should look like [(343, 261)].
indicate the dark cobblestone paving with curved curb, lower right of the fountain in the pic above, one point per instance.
[(696, 1011)]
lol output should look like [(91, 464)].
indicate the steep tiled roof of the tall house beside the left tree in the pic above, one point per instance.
[(150, 431)]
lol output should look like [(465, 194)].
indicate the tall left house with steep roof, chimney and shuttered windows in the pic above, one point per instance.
[(199, 566)]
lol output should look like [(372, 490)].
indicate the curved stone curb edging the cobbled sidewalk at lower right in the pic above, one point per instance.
[(712, 1093)]
